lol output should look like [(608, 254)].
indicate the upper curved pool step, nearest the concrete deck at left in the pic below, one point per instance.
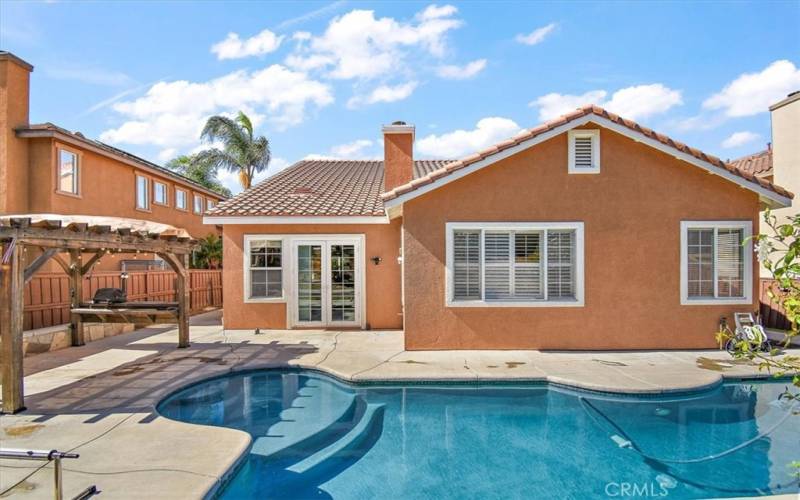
[(318, 415)]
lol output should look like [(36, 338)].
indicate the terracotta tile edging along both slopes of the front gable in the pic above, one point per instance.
[(446, 170)]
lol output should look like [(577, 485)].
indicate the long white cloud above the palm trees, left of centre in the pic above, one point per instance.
[(172, 114)]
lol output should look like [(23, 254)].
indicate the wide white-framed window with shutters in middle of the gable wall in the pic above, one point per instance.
[(515, 264)]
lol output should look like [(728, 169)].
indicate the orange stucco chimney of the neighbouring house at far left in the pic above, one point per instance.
[(14, 112)]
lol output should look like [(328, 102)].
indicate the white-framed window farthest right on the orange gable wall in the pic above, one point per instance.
[(716, 262)]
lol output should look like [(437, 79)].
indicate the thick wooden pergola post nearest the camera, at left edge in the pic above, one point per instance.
[(12, 281)]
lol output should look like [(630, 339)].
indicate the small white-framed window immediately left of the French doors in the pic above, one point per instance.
[(263, 269)]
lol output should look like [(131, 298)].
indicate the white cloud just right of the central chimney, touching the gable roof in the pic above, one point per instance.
[(487, 131)]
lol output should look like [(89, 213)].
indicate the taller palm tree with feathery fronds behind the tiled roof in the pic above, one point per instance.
[(241, 152)]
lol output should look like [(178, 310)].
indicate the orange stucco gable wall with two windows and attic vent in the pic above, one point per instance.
[(631, 212)]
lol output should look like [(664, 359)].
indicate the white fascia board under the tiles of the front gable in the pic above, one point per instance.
[(771, 198)]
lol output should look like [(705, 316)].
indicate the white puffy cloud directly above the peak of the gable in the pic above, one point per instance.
[(635, 102)]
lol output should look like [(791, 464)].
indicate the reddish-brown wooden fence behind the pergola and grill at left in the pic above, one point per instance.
[(47, 294)]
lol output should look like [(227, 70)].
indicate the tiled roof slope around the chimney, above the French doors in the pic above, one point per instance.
[(319, 188)]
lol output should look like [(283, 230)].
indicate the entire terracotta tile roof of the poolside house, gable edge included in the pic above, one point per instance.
[(354, 187)]
